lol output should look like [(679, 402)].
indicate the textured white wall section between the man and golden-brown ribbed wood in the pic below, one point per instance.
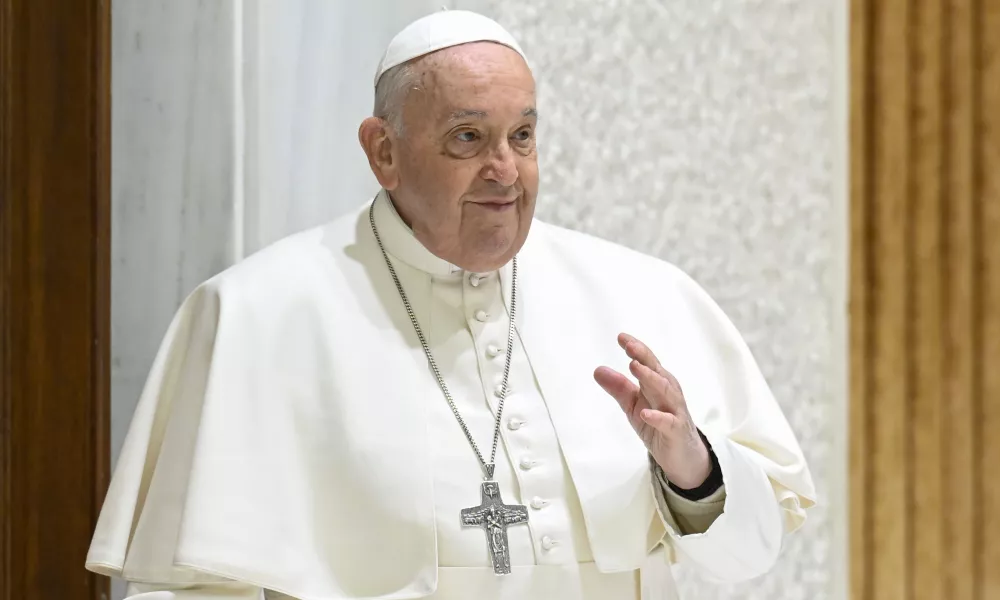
[(710, 134)]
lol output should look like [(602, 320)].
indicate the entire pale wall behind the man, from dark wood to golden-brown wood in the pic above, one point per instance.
[(707, 133)]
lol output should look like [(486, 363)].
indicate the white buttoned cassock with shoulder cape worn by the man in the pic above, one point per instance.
[(292, 438)]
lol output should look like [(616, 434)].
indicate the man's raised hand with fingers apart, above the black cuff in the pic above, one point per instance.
[(658, 413)]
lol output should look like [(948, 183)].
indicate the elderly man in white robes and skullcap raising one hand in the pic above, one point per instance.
[(402, 403)]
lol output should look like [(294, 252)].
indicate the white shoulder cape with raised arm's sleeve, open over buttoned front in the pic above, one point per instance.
[(278, 440)]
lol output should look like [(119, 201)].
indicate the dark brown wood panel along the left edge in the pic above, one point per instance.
[(54, 293)]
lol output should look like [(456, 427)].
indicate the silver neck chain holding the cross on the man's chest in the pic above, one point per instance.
[(488, 467)]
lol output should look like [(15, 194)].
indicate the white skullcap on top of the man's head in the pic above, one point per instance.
[(440, 30)]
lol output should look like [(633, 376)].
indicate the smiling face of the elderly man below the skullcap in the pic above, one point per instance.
[(467, 173)]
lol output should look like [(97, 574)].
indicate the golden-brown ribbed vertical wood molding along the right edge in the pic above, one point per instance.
[(925, 299)]
